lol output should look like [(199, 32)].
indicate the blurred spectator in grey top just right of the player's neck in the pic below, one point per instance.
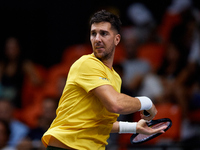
[(134, 67)]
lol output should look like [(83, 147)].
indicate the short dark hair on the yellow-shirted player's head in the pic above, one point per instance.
[(105, 16)]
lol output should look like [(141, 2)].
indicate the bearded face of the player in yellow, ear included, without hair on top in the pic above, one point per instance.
[(103, 39)]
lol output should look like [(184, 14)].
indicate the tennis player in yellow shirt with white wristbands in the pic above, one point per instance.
[(91, 101)]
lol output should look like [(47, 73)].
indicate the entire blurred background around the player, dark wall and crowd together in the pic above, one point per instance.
[(158, 56)]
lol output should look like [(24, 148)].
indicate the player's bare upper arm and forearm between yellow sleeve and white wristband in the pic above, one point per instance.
[(116, 102)]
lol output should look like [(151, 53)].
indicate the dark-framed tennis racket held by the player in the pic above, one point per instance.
[(141, 138)]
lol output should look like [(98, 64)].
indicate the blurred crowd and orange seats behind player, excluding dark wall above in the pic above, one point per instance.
[(161, 61)]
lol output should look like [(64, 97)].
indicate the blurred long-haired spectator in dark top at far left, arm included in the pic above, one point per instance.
[(13, 67)]
